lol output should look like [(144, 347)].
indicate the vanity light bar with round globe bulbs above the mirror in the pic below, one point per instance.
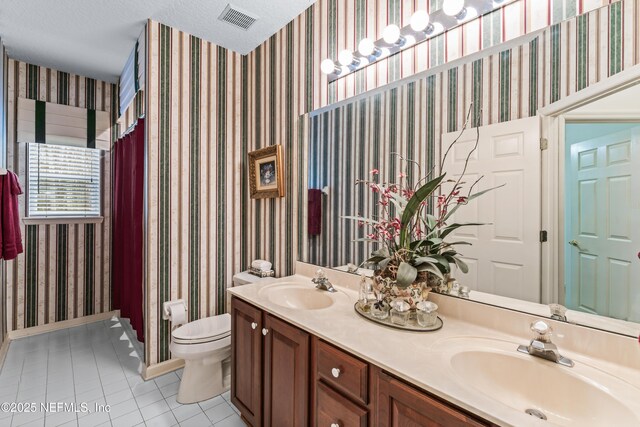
[(394, 41)]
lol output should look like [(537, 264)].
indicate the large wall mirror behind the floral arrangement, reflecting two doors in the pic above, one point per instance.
[(564, 225)]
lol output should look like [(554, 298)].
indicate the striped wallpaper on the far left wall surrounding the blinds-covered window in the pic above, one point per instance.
[(64, 271)]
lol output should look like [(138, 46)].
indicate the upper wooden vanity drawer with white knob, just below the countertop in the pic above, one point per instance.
[(343, 371)]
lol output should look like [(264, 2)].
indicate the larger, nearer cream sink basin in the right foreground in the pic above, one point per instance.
[(580, 396)]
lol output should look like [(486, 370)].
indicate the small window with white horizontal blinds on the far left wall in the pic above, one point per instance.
[(63, 181)]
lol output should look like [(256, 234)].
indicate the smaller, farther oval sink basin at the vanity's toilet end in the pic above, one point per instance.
[(298, 296)]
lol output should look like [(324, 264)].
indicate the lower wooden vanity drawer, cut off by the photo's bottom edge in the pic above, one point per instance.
[(334, 410)]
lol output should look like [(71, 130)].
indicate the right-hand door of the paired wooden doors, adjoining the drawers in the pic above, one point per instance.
[(286, 374)]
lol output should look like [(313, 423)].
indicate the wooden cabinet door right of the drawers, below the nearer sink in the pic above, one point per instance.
[(399, 404)]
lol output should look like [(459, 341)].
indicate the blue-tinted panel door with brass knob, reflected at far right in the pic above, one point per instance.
[(603, 230)]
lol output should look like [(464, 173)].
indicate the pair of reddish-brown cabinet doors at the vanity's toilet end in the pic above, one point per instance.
[(269, 368)]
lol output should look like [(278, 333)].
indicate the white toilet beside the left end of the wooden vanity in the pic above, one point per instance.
[(205, 346)]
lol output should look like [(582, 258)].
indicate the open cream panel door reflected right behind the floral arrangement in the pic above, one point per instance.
[(504, 258)]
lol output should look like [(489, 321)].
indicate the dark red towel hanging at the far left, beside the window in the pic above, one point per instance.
[(10, 237)]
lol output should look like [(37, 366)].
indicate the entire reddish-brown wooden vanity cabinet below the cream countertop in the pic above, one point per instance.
[(282, 376)]
